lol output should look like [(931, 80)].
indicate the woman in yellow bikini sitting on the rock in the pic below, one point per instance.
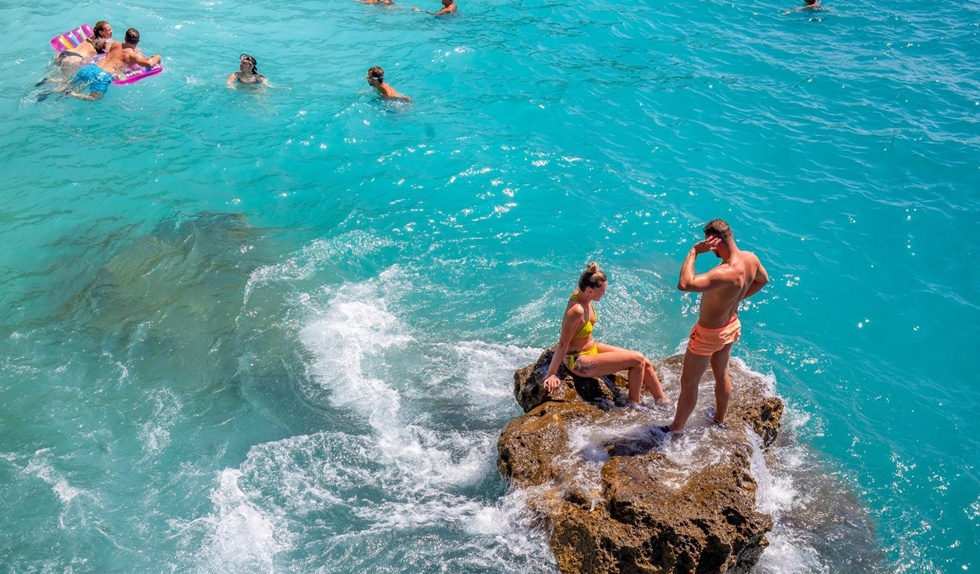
[(585, 357)]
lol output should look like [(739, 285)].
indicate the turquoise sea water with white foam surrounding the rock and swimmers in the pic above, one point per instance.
[(275, 329)]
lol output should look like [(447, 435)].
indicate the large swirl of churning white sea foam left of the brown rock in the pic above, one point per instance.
[(402, 471)]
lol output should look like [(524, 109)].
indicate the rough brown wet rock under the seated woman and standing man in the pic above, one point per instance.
[(617, 495)]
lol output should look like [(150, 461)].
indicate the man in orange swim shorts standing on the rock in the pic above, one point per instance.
[(739, 276)]
